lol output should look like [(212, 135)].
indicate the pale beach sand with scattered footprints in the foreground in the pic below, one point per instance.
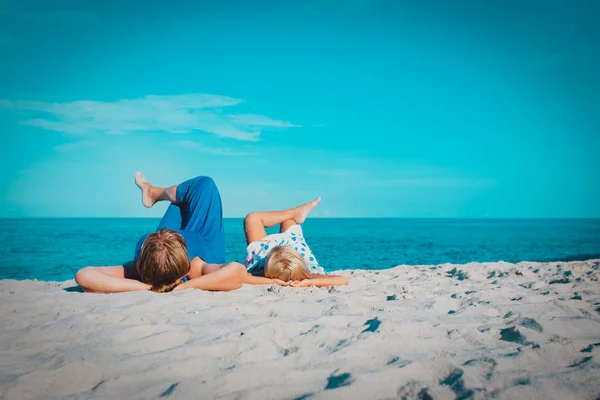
[(264, 342)]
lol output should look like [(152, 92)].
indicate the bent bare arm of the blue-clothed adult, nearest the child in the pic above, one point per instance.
[(226, 277)]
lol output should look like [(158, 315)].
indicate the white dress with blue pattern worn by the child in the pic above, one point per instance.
[(259, 250)]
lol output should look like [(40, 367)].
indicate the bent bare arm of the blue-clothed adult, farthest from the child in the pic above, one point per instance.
[(108, 280)]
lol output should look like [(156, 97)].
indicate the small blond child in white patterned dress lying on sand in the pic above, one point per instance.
[(283, 258)]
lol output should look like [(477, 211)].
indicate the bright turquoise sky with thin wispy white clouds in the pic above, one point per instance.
[(420, 109)]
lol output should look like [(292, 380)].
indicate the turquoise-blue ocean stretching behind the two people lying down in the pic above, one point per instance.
[(53, 249)]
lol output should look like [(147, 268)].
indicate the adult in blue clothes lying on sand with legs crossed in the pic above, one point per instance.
[(191, 229)]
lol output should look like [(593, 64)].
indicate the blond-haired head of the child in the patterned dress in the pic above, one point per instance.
[(286, 264)]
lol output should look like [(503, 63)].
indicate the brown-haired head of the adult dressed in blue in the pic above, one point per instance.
[(163, 260)]
